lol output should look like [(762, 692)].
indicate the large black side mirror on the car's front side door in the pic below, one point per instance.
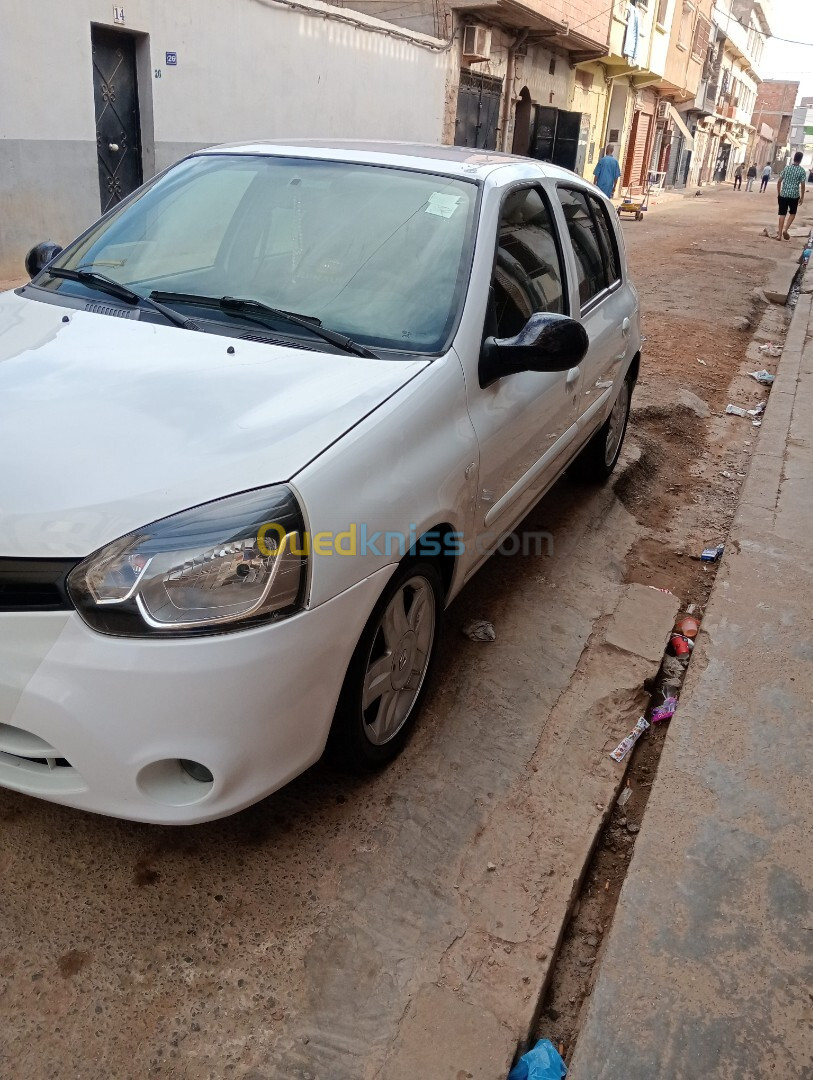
[(548, 343)]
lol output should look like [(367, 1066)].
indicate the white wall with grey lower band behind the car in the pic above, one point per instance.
[(247, 71)]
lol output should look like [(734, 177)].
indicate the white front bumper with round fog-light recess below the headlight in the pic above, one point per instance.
[(102, 723)]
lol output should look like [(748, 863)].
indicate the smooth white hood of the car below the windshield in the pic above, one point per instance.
[(109, 424)]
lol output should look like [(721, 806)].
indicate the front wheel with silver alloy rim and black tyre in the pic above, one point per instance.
[(390, 670)]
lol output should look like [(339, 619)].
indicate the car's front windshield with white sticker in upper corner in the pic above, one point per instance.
[(377, 254)]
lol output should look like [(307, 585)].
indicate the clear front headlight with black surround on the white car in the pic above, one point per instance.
[(223, 566)]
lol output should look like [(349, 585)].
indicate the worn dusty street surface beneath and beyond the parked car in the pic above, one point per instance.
[(347, 928)]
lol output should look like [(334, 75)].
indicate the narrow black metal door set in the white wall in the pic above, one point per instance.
[(116, 97)]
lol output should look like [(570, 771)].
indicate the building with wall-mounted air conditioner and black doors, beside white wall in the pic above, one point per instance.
[(524, 77)]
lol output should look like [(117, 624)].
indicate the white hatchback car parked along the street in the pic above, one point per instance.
[(260, 426)]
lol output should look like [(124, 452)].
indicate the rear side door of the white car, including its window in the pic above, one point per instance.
[(602, 303)]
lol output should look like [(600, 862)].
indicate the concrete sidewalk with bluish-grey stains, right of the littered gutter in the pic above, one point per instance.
[(709, 967)]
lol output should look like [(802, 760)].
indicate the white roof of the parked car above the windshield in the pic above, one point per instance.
[(448, 160)]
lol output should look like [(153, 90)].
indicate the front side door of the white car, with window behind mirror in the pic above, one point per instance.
[(524, 422)]
